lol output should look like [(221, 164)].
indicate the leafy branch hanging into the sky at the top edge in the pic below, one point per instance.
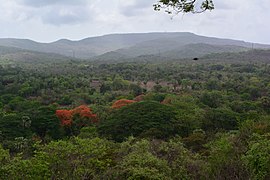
[(184, 6)]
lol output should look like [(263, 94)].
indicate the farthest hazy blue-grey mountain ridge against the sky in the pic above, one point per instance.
[(135, 44)]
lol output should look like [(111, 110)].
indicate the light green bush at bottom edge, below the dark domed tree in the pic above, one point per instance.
[(140, 163)]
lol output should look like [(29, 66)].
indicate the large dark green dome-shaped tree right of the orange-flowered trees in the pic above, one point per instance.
[(145, 119)]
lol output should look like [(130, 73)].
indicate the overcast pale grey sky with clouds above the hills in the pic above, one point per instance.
[(50, 20)]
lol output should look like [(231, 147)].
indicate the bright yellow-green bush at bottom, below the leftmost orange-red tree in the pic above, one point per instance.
[(78, 158)]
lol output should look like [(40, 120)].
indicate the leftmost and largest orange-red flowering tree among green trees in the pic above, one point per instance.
[(73, 120)]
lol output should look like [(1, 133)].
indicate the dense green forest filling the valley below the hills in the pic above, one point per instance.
[(179, 119)]
